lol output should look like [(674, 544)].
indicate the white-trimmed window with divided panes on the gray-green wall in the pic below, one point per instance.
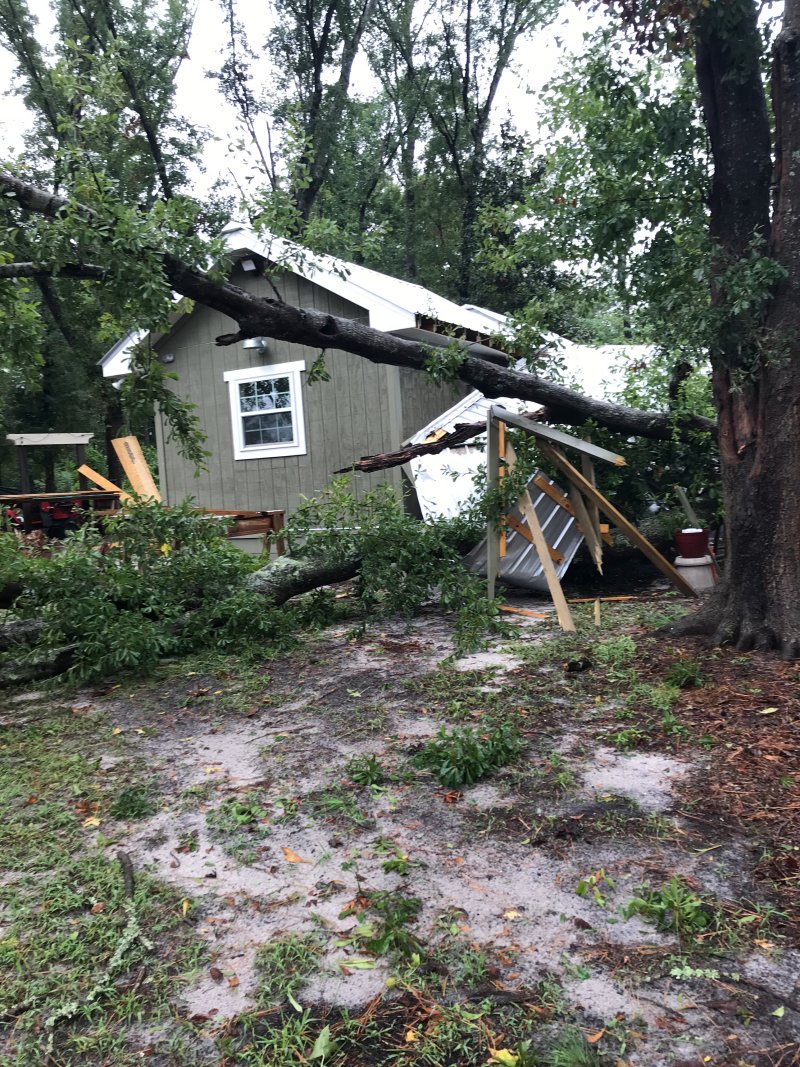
[(267, 411)]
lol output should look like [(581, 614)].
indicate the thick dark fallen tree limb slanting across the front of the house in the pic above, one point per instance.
[(260, 317)]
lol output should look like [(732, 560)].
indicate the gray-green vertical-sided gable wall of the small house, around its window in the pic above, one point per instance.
[(359, 412)]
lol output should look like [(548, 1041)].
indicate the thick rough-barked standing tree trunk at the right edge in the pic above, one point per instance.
[(759, 603)]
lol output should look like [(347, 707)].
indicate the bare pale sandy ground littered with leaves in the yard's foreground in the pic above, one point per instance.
[(511, 890)]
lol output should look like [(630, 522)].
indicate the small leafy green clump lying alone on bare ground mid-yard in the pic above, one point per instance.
[(466, 756)]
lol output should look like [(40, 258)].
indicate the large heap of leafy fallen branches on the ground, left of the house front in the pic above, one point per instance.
[(164, 581)]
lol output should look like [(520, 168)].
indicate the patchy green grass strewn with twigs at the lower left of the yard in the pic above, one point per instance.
[(75, 950)]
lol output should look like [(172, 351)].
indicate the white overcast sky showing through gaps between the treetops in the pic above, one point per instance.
[(201, 103)]
